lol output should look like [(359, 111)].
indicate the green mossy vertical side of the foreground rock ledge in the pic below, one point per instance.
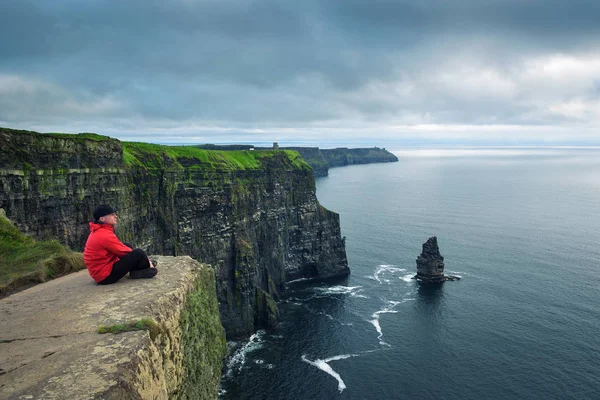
[(203, 340)]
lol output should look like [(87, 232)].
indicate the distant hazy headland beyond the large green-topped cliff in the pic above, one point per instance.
[(322, 159)]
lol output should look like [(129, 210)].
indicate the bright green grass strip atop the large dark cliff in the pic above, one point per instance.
[(150, 155)]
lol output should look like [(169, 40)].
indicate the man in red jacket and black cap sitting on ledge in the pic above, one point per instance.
[(107, 258)]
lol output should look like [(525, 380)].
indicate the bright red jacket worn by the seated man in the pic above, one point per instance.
[(102, 250)]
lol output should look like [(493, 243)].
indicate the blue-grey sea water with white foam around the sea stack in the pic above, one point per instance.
[(519, 225)]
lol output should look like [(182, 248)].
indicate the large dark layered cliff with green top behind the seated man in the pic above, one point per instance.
[(253, 215)]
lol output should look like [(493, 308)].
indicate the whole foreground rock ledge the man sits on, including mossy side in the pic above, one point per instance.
[(168, 342)]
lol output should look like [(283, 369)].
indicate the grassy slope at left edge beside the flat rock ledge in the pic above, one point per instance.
[(25, 262)]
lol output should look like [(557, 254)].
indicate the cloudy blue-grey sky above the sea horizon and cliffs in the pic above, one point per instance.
[(368, 72)]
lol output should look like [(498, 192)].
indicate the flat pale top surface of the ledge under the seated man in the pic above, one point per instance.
[(49, 345)]
